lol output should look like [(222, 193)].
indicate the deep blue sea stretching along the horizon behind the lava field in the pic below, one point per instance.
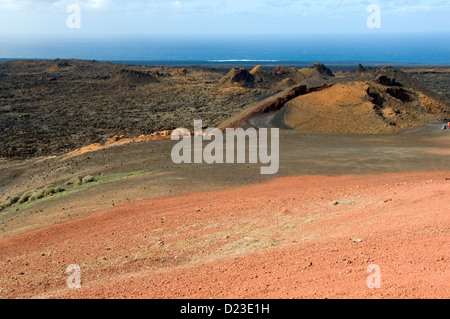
[(400, 48)]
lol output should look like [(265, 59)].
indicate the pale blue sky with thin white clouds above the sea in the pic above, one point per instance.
[(220, 17)]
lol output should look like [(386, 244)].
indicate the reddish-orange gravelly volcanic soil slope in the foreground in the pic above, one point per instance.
[(295, 237)]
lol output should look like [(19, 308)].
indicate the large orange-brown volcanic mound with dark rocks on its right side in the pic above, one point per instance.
[(363, 107)]
